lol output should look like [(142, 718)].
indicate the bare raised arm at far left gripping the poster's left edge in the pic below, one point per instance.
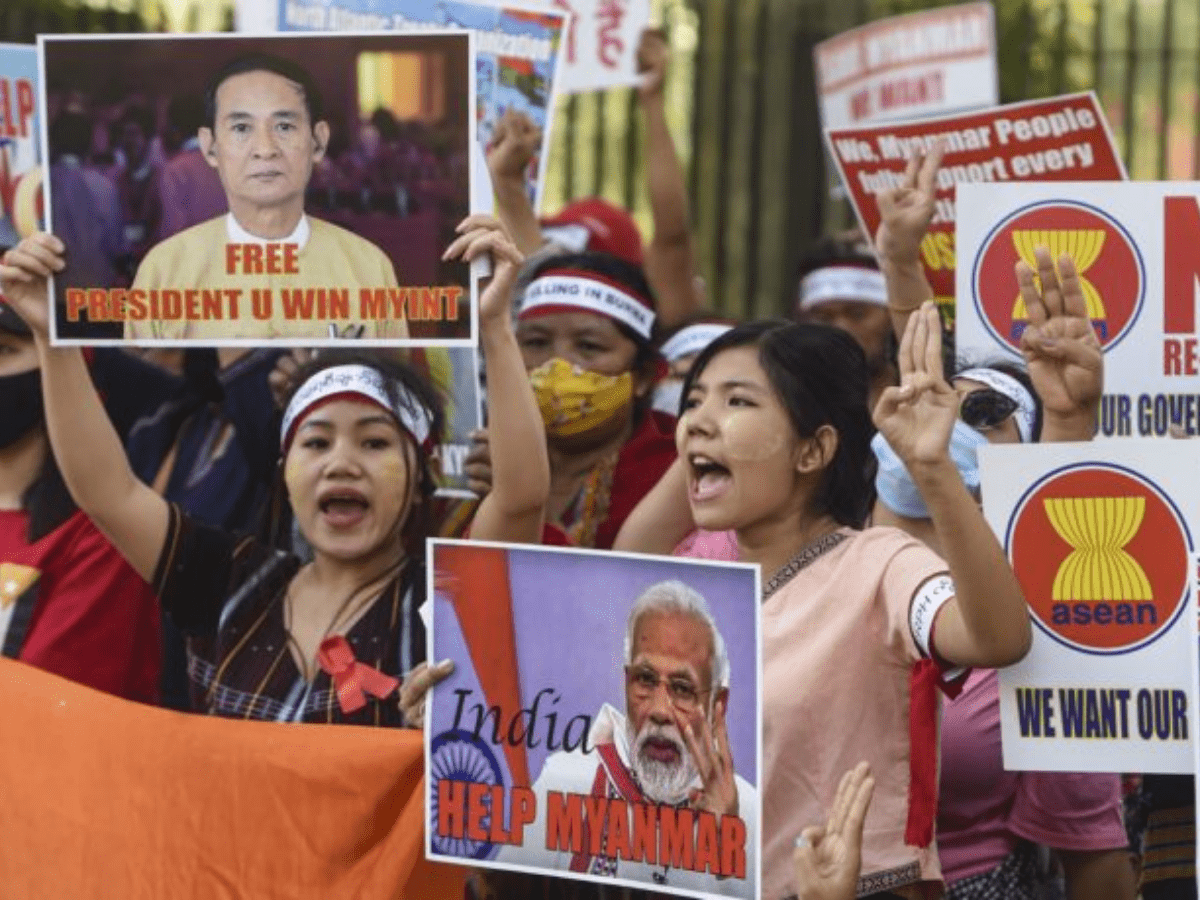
[(83, 440)]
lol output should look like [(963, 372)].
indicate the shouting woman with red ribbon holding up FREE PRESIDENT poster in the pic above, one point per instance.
[(271, 638)]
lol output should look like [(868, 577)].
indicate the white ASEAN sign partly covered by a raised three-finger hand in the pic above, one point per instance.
[(1135, 248)]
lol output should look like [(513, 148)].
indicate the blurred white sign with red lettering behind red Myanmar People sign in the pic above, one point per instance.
[(909, 67)]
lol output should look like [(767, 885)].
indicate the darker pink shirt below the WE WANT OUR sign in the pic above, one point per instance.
[(985, 812)]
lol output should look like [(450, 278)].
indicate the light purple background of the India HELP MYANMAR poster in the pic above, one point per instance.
[(569, 614)]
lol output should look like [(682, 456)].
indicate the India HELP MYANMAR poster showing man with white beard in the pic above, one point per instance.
[(602, 722)]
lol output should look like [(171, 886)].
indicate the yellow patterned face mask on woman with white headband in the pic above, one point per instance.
[(574, 401)]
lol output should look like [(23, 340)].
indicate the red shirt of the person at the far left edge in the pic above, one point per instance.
[(71, 605)]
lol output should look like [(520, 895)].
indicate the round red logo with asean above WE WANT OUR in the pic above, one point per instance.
[(1103, 557)]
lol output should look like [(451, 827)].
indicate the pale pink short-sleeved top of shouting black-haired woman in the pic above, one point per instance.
[(839, 649)]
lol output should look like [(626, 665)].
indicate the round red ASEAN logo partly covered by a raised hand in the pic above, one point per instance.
[(1111, 268)]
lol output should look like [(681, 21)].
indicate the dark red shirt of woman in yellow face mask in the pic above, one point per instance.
[(643, 461)]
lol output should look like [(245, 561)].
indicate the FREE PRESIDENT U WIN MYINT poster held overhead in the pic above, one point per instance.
[(291, 190)]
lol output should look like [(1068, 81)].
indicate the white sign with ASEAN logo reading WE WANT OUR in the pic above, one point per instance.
[(1100, 536)]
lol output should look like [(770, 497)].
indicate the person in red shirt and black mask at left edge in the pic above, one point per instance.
[(69, 603)]
